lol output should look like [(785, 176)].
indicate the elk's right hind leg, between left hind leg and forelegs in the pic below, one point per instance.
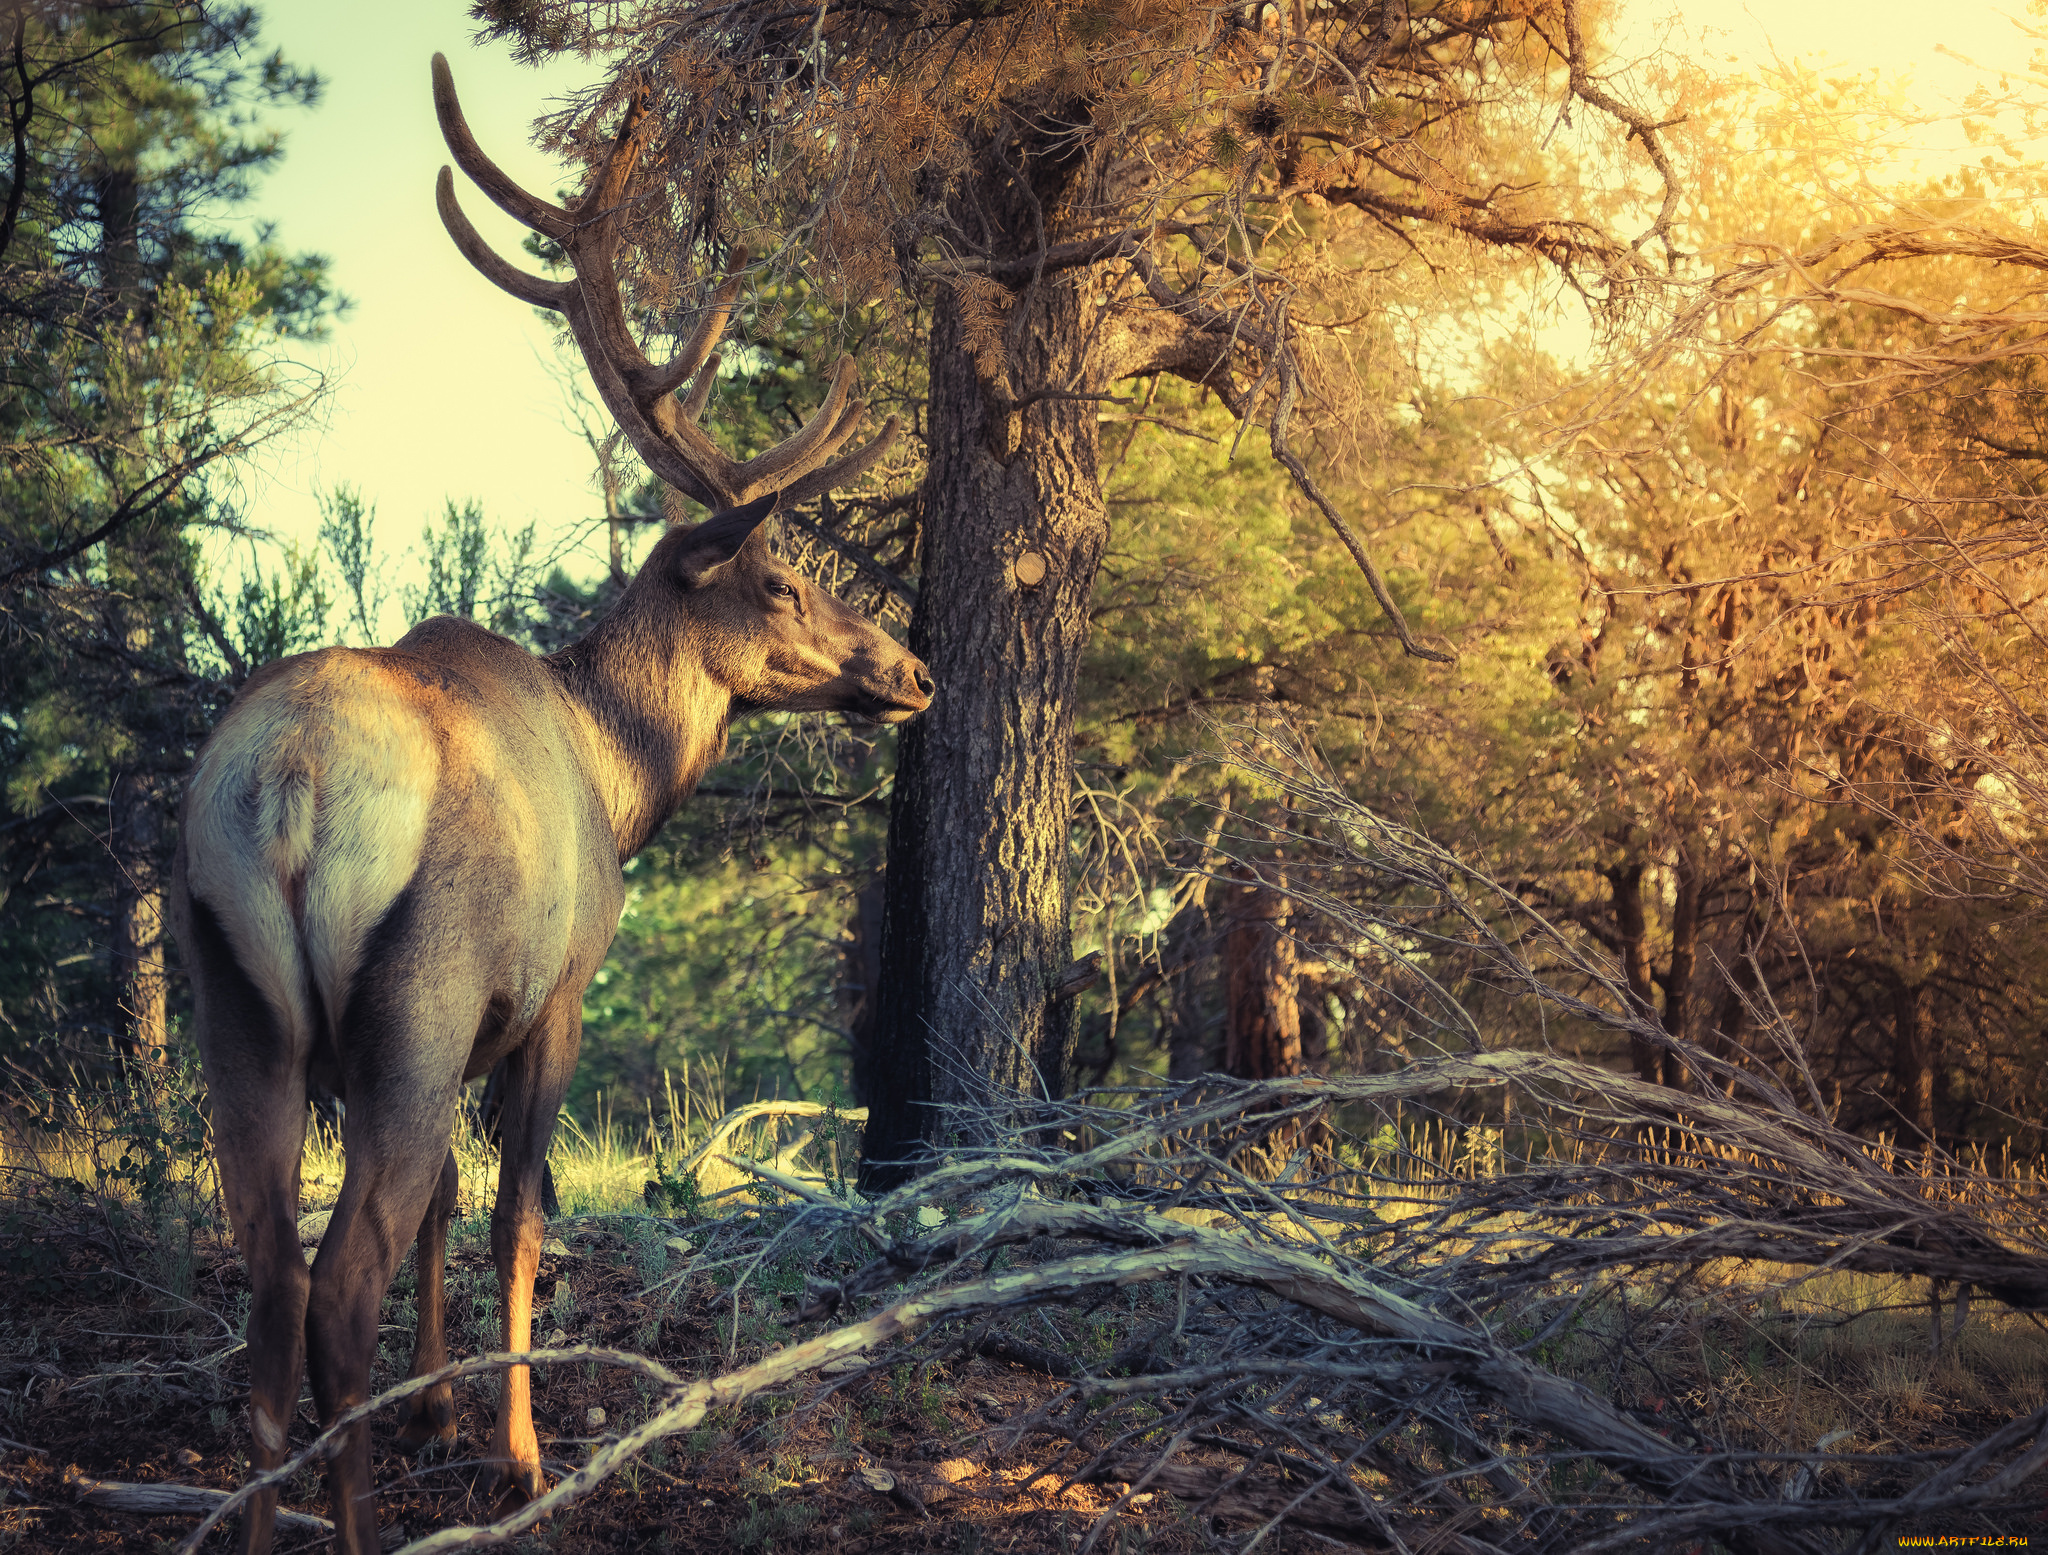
[(402, 1046)]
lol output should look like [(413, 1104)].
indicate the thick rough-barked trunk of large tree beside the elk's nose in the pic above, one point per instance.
[(976, 931)]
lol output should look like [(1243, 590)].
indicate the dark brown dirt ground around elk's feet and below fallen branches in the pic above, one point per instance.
[(118, 1384)]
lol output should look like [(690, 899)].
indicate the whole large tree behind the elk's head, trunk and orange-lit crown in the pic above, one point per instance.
[(1066, 200)]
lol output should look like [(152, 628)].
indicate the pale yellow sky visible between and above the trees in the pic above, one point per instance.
[(443, 386)]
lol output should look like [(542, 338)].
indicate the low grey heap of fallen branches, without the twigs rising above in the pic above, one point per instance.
[(1359, 1349)]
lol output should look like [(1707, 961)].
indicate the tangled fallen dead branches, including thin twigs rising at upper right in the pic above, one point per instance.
[(1590, 1329)]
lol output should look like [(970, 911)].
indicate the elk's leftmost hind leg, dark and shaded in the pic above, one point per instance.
[(257, 1089)]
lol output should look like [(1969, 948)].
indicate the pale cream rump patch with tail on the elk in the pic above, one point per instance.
[(306, 821)]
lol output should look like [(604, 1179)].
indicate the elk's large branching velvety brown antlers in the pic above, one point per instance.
[(638, 392)]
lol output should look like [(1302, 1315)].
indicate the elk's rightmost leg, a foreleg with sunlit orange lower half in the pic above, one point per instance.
[(536, 1081)]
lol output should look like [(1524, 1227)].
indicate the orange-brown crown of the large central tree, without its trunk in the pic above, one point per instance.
[(1181, 153)]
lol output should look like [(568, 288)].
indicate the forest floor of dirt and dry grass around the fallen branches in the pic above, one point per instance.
[(120, 1361)]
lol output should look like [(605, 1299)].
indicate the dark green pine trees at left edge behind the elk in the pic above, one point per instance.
[(140, 349)]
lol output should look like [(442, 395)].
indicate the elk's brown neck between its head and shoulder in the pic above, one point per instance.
[(652, 712)]
